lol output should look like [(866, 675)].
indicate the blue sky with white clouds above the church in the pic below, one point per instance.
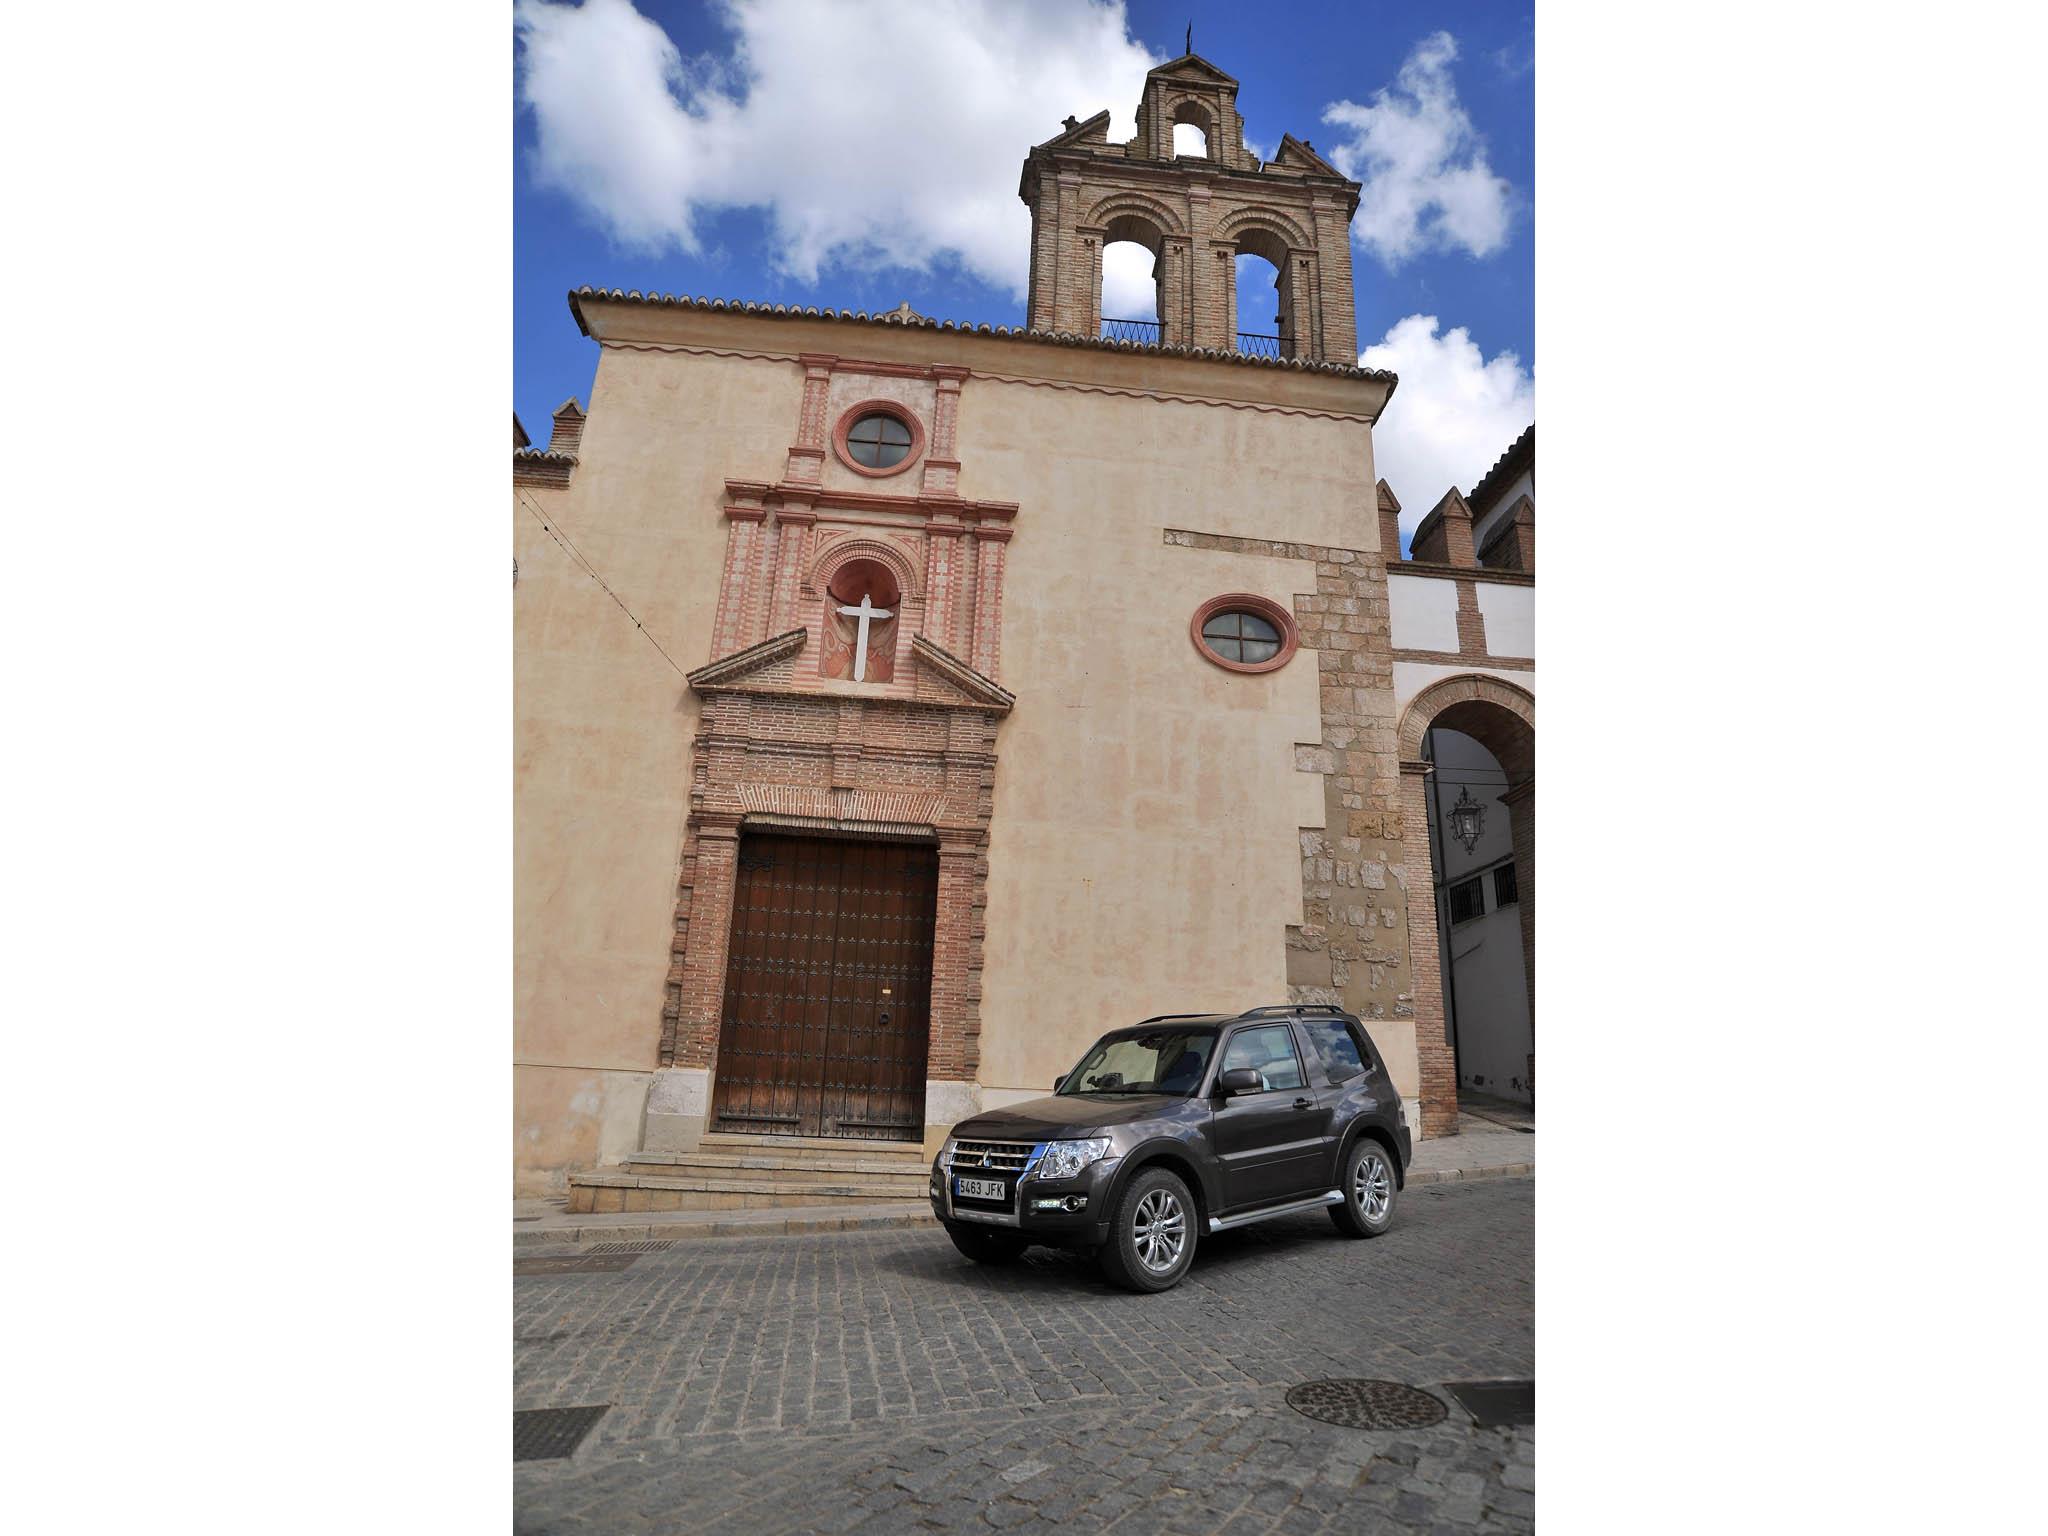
[(857, 155)]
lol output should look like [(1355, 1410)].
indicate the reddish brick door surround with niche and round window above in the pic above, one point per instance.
[(779, 746)]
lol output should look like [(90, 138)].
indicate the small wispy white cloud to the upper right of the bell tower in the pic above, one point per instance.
[(1422, 165)]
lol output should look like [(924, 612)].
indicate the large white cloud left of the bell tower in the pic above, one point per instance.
[(873, 134)]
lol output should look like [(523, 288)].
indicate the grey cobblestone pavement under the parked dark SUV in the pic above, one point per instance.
[(882, 1383)]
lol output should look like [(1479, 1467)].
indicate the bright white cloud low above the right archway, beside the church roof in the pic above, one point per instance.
[(1453, 413)]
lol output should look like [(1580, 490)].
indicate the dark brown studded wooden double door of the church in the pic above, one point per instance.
[(828, 988)]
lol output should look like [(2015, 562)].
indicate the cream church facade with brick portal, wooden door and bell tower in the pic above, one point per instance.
[(902, 703)]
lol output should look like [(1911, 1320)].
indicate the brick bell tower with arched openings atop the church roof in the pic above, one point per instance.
[(1197, 214)]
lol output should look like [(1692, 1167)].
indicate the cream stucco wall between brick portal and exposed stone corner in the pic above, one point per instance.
[(1146, 847)]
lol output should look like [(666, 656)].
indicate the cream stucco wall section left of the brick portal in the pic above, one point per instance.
[(603, 730)]
